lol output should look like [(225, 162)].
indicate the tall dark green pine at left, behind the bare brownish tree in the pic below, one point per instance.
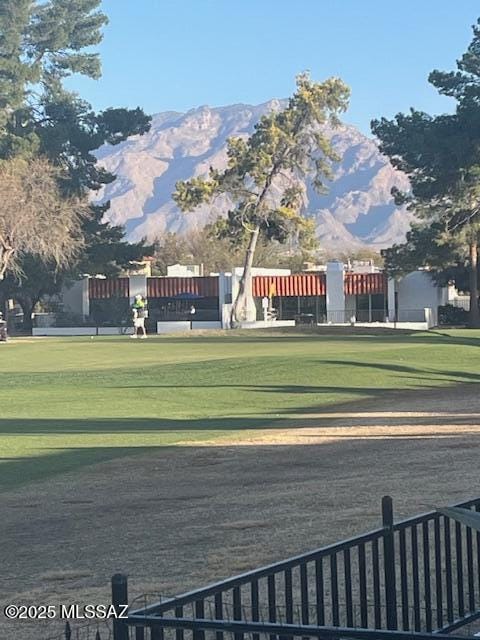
[(42, 43)]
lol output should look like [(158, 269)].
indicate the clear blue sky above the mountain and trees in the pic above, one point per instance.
[(179, 54)]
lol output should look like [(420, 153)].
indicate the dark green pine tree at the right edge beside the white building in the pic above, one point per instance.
[(440, 155)]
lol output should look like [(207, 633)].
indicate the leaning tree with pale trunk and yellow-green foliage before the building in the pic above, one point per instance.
[(263, 175)]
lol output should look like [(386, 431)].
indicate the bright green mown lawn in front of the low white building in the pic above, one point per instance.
[(66, 403)]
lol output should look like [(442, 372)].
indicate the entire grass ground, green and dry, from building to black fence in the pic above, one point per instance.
[(183, 460)]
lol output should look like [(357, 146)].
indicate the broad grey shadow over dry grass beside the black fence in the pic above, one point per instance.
[(276, 500)]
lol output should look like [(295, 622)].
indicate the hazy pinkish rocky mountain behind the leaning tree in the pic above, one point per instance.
[(357, 211)]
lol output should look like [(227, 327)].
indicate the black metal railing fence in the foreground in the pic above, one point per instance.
[(420, 575)]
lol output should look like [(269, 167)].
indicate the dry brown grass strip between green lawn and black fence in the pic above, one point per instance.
[(183, 516)]
